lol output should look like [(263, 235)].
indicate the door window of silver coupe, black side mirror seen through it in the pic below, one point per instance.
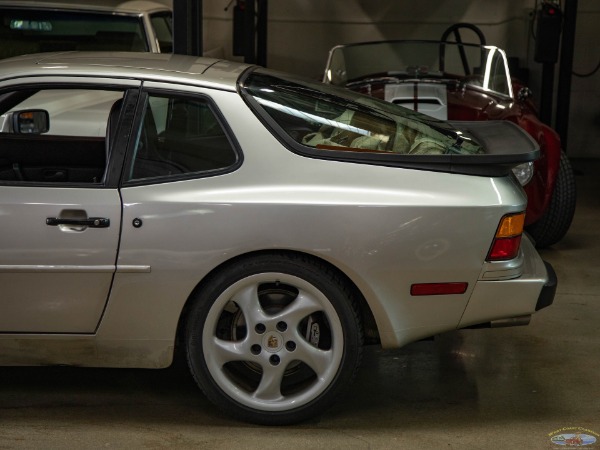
[(57, 136)]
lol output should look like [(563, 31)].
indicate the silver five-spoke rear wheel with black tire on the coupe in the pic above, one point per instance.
[(274, 339)]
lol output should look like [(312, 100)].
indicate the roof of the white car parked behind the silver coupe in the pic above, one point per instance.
[(116, 6)]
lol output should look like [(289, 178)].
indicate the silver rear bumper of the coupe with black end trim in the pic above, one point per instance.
[(494, 300)]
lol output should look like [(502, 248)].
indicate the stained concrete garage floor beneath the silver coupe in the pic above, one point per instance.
[(478, 389)]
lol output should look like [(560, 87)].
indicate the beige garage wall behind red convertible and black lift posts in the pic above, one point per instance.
[(302, 31)]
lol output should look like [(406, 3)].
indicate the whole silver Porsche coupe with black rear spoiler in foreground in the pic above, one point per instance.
[(268, 224)]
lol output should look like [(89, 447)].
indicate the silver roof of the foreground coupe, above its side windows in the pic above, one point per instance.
[(162, 67)]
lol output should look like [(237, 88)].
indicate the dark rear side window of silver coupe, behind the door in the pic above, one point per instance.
[(180, 136)]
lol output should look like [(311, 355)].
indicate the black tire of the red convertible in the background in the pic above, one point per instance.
[(556, 220)]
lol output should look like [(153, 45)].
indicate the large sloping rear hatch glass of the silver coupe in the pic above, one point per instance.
[(329, 118)]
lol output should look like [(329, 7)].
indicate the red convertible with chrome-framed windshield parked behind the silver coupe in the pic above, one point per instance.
[(466, 82)]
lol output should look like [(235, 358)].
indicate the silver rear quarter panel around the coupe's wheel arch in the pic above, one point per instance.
[(385, 228)]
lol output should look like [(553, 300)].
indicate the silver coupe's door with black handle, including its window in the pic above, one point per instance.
[(59, 214)]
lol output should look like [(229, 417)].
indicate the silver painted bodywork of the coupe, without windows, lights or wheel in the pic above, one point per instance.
[(114, 296)]
